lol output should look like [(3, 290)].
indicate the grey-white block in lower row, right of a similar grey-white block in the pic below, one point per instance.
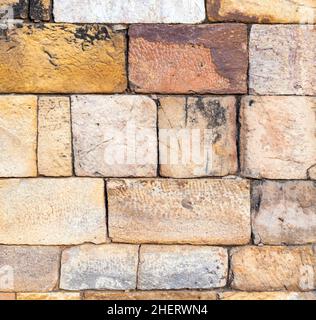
[(182, 267)]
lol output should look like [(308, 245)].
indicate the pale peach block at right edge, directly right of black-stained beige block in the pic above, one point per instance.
[(278, 137)]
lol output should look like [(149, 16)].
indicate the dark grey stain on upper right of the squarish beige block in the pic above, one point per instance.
[(212, 111)]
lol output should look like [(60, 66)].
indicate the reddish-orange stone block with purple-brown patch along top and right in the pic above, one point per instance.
[(211, 58)]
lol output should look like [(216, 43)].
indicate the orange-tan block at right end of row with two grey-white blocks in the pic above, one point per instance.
[(273, 268)]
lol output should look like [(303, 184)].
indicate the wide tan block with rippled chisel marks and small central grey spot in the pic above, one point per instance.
[(179, 211)]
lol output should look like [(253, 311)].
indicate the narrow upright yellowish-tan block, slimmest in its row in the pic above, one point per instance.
[(54, 137)]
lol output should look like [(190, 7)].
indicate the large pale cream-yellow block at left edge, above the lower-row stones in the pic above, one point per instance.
[(52, 211)]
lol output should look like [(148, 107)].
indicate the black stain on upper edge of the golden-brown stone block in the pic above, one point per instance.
[(91, 33)]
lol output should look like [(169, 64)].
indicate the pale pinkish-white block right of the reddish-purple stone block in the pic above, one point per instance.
[(282, 60)]
